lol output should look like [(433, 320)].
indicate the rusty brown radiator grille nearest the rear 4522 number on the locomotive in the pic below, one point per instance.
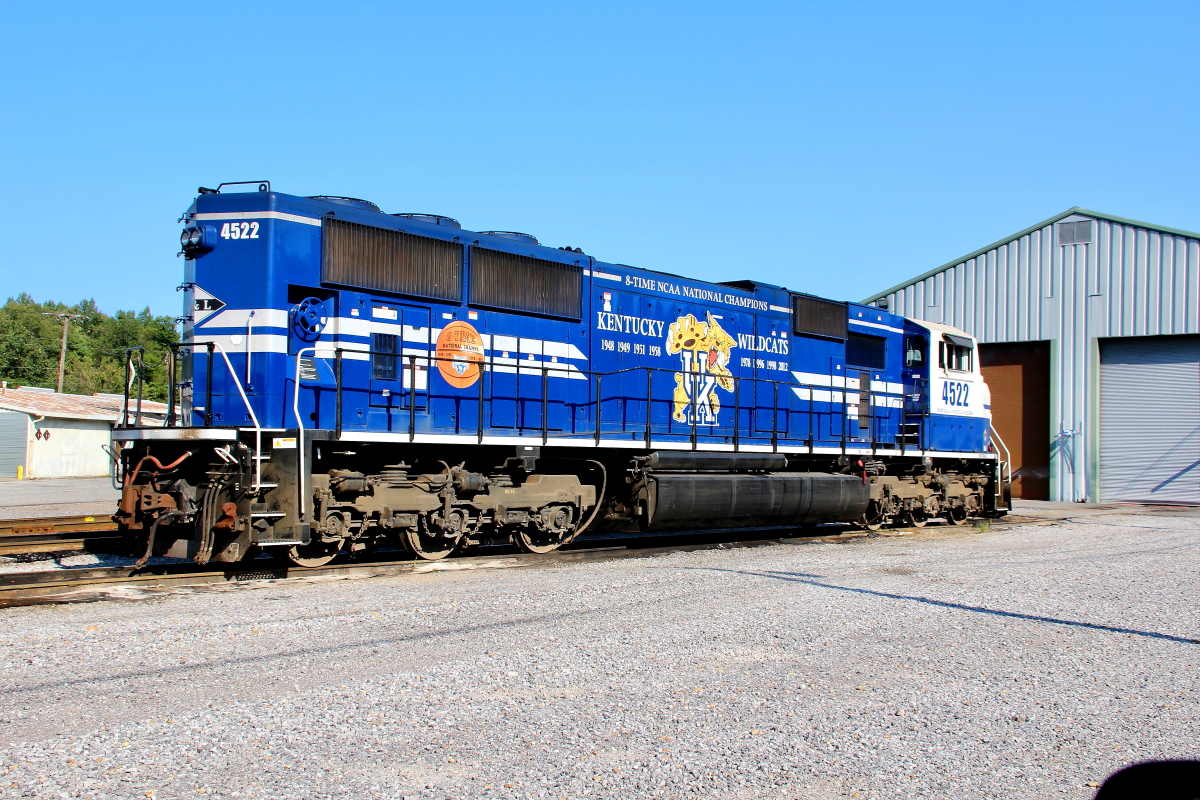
[(391, 261)]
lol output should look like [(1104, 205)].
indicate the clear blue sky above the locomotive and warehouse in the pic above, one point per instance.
[(831, 148)]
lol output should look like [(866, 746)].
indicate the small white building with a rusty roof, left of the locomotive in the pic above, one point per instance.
[(46, 435)]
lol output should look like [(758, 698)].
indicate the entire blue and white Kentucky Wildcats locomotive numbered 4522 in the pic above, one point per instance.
[(350, 378)]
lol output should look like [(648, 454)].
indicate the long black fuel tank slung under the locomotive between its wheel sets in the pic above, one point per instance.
[(734, 501)]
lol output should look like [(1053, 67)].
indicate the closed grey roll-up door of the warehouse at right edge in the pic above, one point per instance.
[(1150, 419)]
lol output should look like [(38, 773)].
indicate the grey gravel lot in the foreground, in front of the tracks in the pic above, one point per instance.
[(1023, 663)]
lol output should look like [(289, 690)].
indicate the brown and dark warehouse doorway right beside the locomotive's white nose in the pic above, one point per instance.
[(1019, 378)]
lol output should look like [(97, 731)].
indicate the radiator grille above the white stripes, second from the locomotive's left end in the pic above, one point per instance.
[(524, 284)]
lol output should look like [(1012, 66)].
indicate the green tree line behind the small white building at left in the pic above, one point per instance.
[(95, 362)]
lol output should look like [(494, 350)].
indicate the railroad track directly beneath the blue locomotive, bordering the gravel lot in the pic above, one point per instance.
[(106, 584)]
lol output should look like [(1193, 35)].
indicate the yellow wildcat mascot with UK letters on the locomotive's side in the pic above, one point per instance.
[(704, 352)]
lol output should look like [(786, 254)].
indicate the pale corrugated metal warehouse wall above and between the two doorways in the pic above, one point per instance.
[(1127, 281)]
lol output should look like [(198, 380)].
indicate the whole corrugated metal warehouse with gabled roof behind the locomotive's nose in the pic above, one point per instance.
[(1089, 330)]
